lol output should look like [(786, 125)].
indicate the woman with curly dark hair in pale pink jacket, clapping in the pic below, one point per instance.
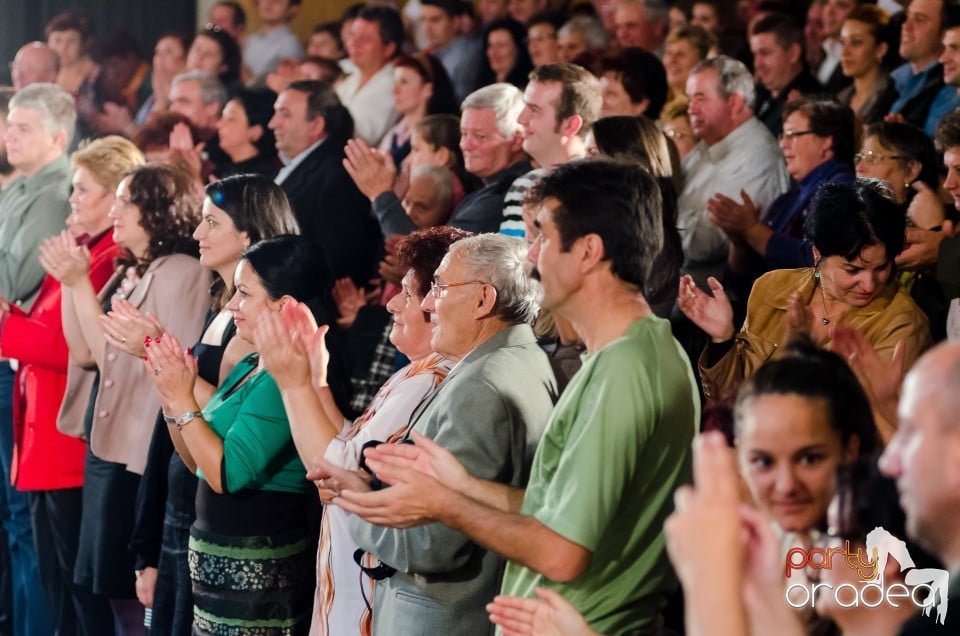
[(155, 211)]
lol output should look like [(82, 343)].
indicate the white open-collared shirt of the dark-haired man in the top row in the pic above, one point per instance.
[(370, 105)]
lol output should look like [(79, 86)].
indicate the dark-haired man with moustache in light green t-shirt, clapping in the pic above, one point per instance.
[(590, 522)]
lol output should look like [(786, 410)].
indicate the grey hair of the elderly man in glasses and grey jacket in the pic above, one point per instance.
[(501, 261)]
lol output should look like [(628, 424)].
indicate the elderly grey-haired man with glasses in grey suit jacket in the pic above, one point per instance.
[(489, 412)]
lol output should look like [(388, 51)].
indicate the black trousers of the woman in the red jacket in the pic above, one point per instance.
[(55, 517)]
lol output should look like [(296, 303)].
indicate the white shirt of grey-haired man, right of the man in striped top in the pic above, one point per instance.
[(749, 159)]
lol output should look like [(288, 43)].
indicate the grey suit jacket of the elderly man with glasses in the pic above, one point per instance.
[(490, 413)]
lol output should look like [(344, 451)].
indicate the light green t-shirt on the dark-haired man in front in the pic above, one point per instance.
[(616, 447)]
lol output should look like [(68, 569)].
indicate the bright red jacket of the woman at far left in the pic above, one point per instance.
[(43, 457)]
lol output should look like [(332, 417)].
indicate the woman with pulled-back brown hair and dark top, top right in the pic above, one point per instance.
[(863, 42)]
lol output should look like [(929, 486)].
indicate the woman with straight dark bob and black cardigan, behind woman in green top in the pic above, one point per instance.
[(237, 211)]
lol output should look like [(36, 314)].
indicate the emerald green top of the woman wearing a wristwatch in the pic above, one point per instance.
[(258, 450)]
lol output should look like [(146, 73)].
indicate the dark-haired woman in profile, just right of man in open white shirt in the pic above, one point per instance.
[(421, 87)]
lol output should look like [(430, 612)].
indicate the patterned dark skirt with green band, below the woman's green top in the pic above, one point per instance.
[(251, 586)]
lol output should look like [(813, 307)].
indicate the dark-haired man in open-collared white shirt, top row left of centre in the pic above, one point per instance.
[(373, 41)]
